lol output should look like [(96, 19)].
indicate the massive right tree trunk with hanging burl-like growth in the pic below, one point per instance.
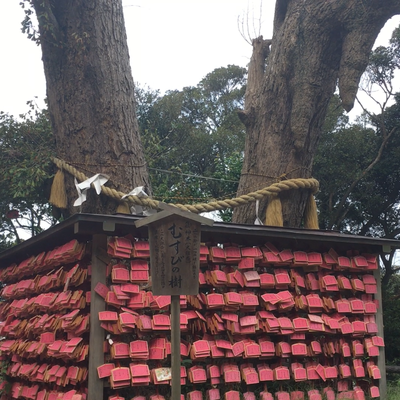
[(316, 43)]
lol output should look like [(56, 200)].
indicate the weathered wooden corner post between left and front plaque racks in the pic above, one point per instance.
[(96, 354)]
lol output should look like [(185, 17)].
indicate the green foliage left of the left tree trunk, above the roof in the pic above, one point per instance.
[(26, 145)]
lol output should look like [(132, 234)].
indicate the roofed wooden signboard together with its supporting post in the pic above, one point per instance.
[(174, 237)]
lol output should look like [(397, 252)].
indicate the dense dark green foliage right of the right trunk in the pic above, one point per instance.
[(343, 156)]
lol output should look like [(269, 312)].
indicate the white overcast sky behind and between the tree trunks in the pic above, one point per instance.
[(173, 43)]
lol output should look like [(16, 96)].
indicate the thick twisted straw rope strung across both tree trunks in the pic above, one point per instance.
[(289, 184)]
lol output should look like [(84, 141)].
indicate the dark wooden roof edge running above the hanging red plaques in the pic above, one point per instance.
[(83, 226)]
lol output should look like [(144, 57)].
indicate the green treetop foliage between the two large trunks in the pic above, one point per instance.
[(195, 133)]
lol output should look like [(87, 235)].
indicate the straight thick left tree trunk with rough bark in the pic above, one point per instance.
[(90, 94)]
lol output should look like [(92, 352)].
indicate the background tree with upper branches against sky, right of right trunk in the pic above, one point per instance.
[(358, 164)]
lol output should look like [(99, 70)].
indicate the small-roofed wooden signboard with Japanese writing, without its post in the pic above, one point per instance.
[(174, 237)]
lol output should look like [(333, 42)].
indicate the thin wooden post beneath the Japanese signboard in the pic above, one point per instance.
[(175, 348)]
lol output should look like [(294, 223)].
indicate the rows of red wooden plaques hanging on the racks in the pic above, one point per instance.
[(246, 293)]
